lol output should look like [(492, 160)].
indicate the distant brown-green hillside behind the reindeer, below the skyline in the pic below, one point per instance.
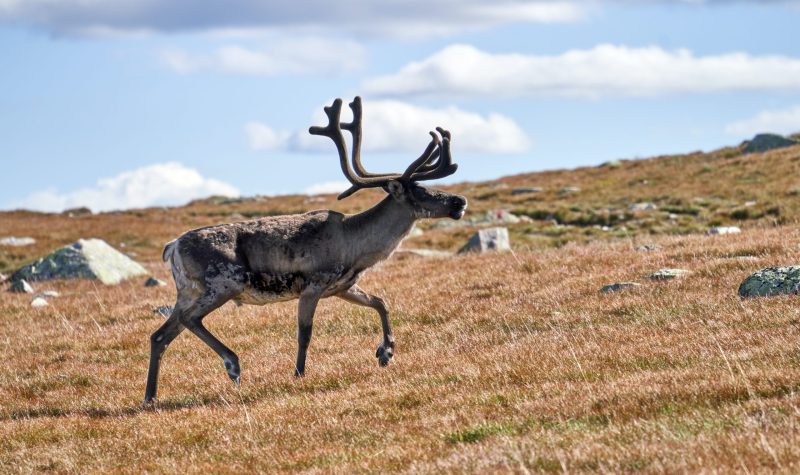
[(691, 192)]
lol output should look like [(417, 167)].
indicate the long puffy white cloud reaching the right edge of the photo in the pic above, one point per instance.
[(605, 70)]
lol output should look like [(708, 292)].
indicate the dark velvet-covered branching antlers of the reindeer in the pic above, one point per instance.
[(435, 162)]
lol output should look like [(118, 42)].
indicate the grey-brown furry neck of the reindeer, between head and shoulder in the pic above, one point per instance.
[(376, 232)]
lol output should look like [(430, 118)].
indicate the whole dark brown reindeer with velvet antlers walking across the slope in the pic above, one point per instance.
[(309, 256)]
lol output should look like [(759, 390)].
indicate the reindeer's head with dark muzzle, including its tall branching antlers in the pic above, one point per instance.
[(435, 162)]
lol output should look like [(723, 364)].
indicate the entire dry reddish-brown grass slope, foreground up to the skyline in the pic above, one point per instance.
[(504, 363)]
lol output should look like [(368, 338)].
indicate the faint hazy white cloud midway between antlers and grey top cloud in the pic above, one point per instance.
[(296, 56)]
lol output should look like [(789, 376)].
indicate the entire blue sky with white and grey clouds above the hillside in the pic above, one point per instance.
[(117, 104)]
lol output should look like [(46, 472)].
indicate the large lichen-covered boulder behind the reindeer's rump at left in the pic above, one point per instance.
[(84, 259)]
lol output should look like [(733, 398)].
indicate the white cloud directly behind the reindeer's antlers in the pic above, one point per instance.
[(394, 126)]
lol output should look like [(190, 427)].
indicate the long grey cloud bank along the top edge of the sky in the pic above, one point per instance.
[(406, 18)]
